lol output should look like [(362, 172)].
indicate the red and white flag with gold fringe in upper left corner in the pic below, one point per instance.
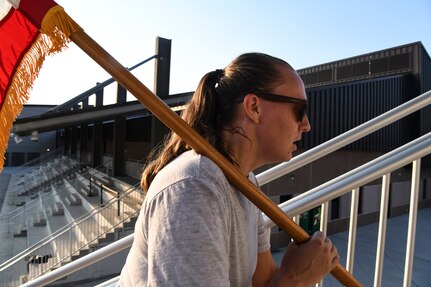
[(22, 51)]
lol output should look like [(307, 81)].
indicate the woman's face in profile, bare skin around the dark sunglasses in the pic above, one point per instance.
[(279, 128)]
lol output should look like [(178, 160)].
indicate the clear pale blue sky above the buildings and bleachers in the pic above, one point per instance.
[(207, 35)]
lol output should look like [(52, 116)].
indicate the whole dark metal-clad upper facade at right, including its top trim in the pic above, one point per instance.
[(348, 92)]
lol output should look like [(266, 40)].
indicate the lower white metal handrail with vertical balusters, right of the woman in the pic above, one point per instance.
[(360, 176)]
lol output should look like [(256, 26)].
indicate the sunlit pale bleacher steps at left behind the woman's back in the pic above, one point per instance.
[(77, 211)]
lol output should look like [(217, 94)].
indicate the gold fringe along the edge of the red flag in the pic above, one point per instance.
[(57, 27)]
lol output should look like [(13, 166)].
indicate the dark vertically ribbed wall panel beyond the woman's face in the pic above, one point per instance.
[(337, 108)]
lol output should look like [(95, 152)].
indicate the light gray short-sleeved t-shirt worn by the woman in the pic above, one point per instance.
[(195, 229)]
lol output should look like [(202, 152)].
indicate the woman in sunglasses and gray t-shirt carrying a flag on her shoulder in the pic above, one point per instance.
[(195, 229)]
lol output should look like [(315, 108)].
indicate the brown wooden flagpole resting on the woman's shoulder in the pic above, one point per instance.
[(200, 145)]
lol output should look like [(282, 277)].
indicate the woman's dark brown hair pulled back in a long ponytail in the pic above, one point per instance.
[(214, 103)]
